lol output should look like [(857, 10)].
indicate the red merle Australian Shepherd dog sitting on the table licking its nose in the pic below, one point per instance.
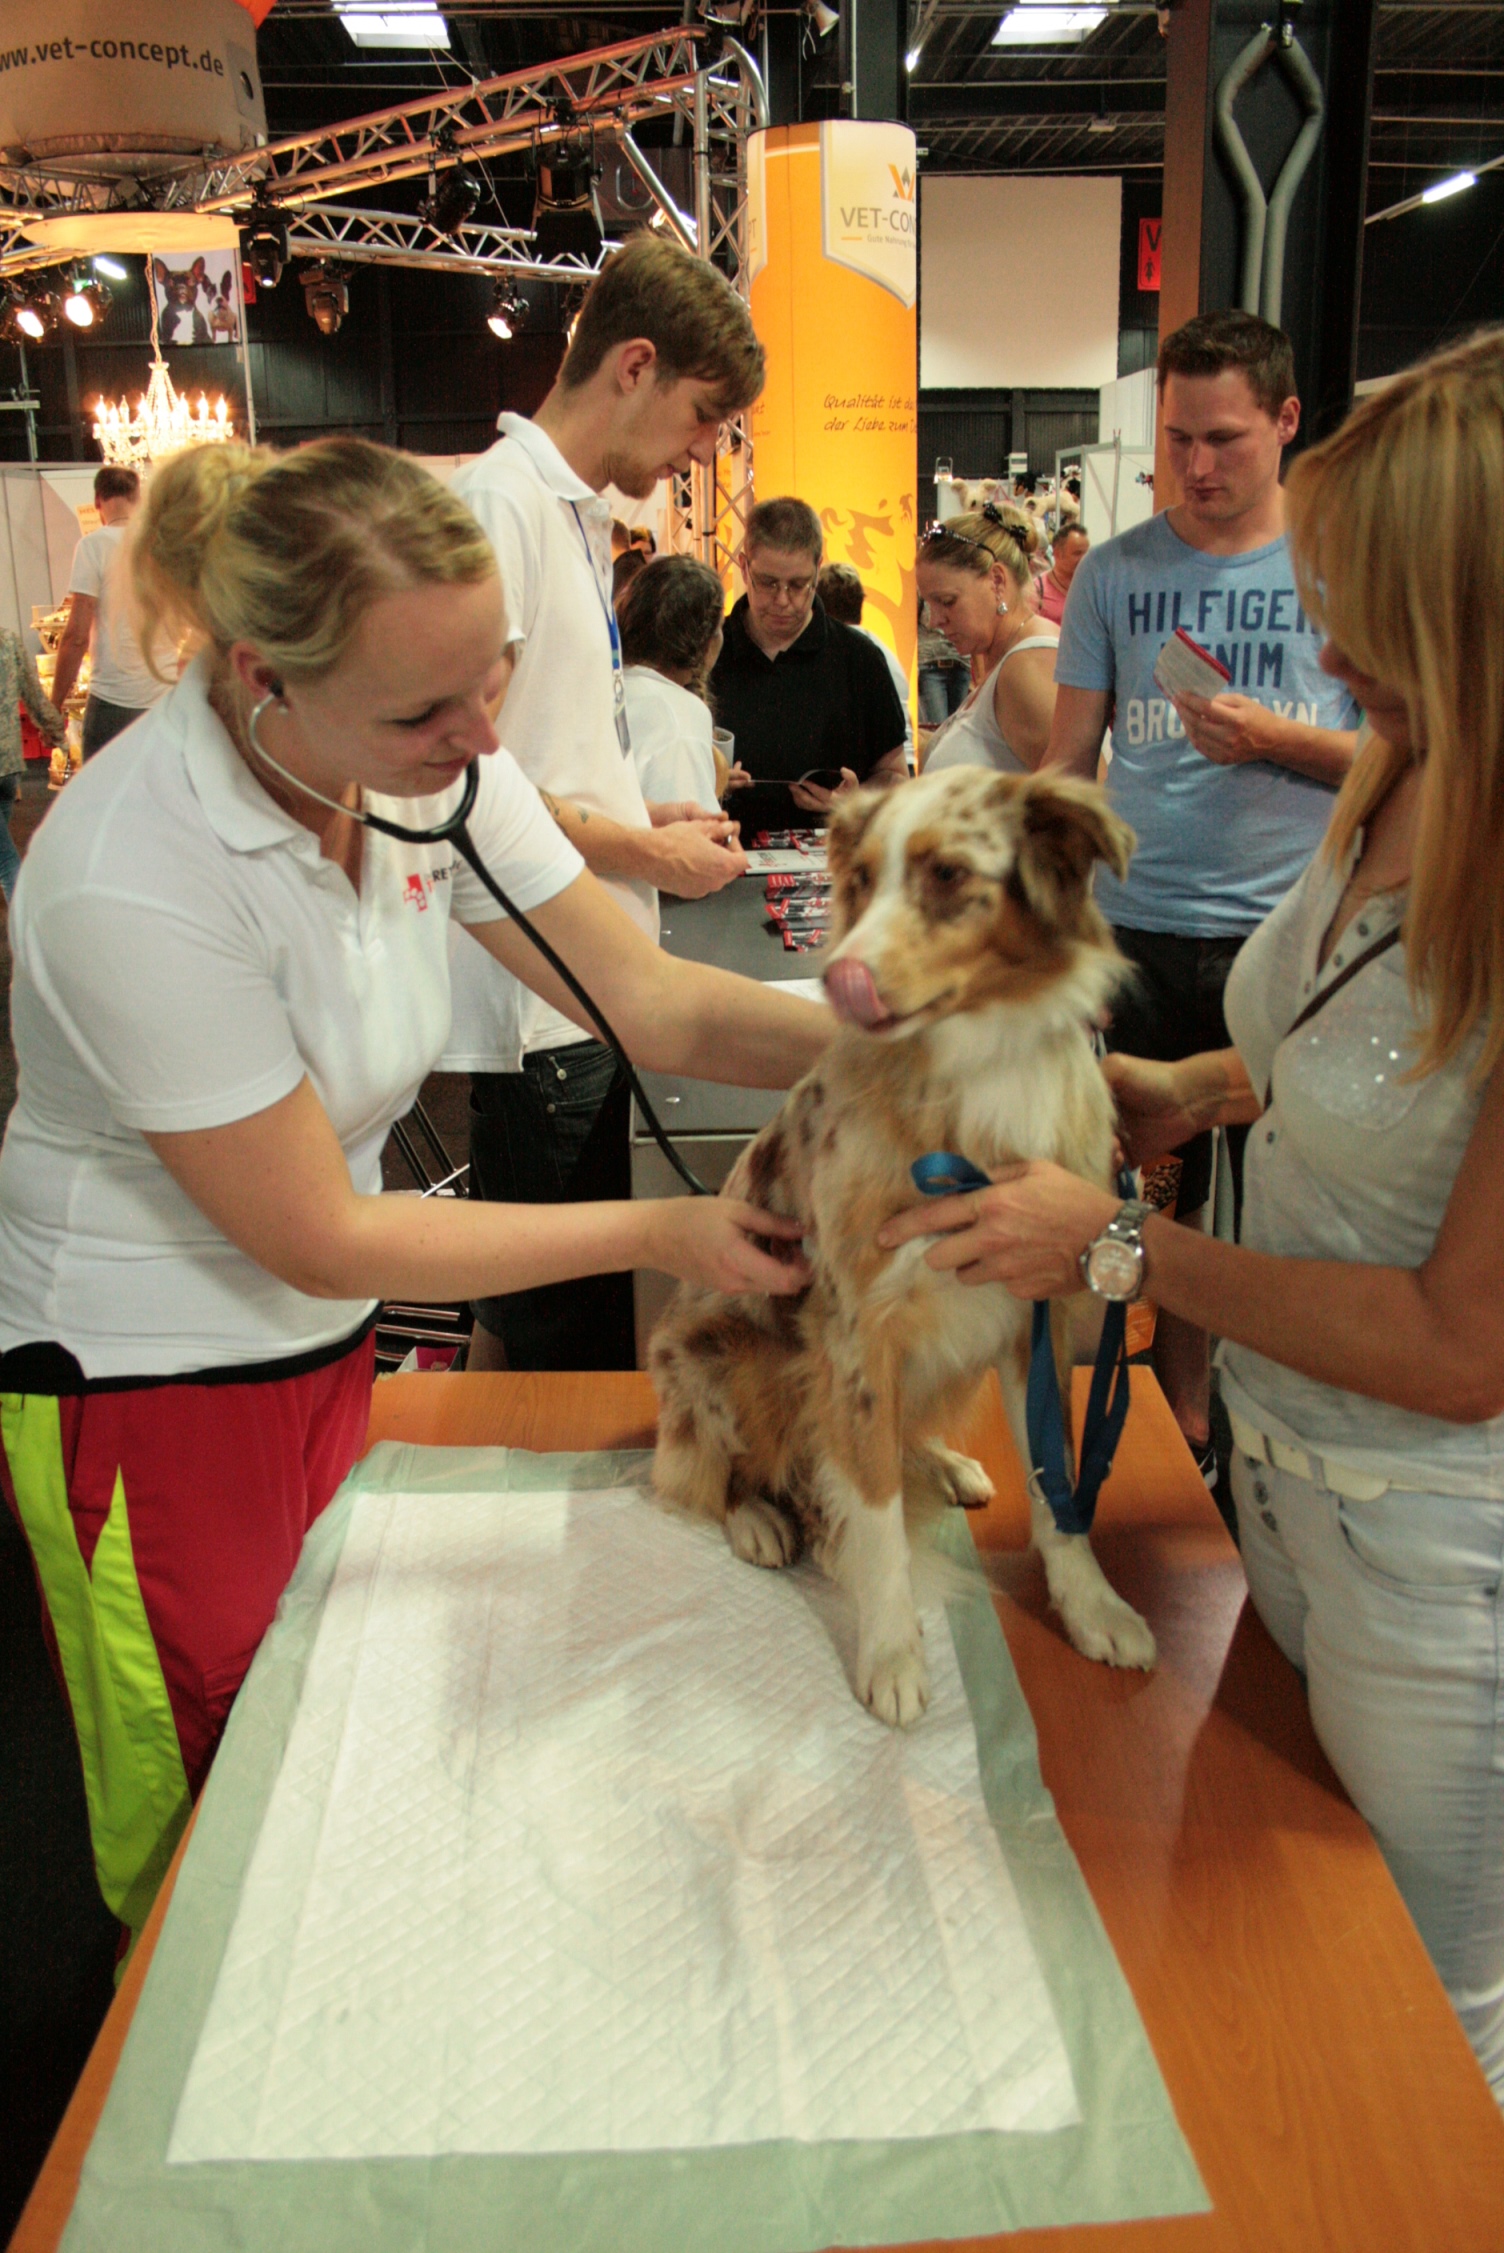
[(967, 961)]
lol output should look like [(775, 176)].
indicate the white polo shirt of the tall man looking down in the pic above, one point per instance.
[(553, 546)]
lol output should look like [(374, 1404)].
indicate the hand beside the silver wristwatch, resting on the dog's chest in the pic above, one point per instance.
[(1026, 1234)]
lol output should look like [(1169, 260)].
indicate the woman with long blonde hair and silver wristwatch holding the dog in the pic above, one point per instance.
[(1366, 1308)]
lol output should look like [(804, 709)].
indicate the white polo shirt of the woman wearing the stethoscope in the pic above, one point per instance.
[(183, 959)]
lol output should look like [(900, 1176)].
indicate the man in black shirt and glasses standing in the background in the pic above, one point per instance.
[(798, 691)]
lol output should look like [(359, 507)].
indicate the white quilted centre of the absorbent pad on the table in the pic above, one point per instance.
[(582, 1844)]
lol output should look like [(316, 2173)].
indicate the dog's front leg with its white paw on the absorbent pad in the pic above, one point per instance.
[(868, 1549)]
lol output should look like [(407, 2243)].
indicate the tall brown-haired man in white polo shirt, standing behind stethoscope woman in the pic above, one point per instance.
[(661, 355)]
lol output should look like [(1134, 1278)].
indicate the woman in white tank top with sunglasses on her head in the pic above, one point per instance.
[(976, 580)]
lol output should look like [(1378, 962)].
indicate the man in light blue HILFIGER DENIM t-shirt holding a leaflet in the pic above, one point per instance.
[(1228, 796)]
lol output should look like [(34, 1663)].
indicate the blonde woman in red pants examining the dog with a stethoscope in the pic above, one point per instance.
[(226, 992)]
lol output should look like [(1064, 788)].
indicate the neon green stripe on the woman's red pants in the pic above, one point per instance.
[(134, 1781)]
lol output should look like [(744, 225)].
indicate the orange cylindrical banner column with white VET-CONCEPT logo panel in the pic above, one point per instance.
[(834, 251)]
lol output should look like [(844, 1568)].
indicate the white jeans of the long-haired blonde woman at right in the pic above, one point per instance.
[(1395, 1614)]
